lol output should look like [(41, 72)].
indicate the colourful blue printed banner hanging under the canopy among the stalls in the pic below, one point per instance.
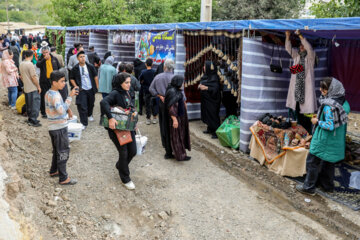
[(158, 46)]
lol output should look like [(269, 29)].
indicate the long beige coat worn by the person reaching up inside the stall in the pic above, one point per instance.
[(297, 91)]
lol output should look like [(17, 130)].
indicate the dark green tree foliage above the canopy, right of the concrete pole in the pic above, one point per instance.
[(260, 9)]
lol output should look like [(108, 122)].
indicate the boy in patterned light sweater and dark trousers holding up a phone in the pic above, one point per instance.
[(56, 111)]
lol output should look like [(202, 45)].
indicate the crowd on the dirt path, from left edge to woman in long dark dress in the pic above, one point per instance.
[(160, 92)]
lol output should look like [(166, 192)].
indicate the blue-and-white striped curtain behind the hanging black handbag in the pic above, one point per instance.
[(263, 91)]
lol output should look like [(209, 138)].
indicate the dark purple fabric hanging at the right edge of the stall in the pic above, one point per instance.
[(345, 66)]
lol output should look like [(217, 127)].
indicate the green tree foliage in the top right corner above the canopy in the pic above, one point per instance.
[(336, 8)]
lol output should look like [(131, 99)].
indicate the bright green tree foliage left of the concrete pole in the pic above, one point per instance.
[(88, 12)]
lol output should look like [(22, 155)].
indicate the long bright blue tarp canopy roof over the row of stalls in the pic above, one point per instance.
[(346, 28)]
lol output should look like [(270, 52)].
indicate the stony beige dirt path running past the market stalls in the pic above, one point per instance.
[(172, 200)]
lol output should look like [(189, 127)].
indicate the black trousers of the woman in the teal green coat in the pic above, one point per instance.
[(319, 173)]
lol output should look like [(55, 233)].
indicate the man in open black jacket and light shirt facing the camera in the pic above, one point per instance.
[(84, 76)]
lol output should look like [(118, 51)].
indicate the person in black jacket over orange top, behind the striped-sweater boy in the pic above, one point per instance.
[(45, 72)]
